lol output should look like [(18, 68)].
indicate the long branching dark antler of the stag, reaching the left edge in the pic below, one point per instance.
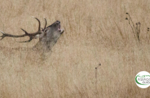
[(31, 35)]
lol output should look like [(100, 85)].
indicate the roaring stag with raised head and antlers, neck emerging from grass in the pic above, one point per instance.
[(48, 35)]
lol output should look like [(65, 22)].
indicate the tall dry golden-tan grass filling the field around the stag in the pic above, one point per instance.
[(95, 32)]
